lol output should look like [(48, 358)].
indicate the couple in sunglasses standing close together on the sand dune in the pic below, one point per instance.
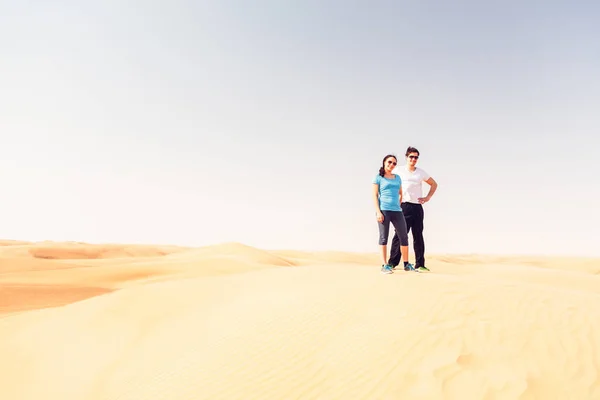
[(398, 197)]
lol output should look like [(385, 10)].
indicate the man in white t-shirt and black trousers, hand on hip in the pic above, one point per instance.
[(412, 207)]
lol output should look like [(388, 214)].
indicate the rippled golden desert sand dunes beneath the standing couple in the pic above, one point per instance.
[(95, 322)]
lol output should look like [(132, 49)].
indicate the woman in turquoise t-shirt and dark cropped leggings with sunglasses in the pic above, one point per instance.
[(387, 194)]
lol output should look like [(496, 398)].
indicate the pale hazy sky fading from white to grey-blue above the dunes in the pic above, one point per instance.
[(265, 122)]
